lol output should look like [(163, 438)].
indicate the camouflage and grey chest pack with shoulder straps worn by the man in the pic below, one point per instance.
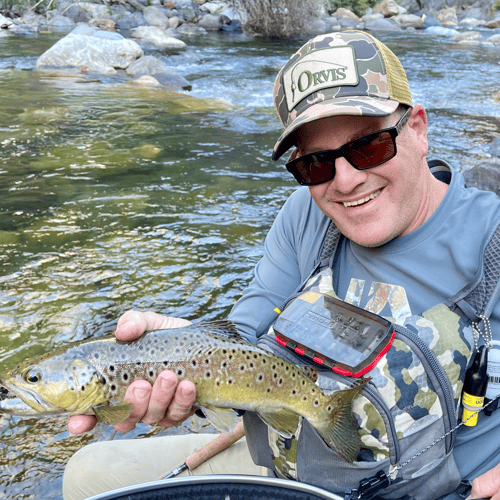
[(407, 412)]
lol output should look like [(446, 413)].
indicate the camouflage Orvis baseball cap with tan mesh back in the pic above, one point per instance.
[(347, 73)]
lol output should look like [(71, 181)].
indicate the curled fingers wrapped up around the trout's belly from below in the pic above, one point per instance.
[(168, 403)]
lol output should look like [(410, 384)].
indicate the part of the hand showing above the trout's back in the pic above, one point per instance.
[(133, 324)]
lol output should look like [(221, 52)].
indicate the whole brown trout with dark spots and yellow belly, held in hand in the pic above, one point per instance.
[(229, 373)]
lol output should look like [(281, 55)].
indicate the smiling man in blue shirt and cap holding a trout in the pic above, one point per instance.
[(410, 241)]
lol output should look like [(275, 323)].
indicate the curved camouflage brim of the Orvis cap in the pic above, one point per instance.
[(360, 106)]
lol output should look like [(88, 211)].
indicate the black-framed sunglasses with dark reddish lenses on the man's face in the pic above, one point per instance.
[(366, 152)]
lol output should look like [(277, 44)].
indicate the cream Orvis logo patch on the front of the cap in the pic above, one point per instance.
[(316, 71)]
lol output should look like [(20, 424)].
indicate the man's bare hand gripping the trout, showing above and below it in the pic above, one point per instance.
[(168, 402)]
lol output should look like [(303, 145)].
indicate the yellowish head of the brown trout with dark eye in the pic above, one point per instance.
[(51, 385)]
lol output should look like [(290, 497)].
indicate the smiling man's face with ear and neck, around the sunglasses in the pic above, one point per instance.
[(371, 207)]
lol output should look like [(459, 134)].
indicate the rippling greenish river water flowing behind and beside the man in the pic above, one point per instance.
[(115, 197)]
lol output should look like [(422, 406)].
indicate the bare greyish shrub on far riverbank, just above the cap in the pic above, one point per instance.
[(276, 18)]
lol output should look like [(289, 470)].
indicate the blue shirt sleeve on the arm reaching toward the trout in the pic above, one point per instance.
[(290, 249)]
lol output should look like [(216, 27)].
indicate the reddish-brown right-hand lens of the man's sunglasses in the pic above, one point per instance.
[(372, 151)]
